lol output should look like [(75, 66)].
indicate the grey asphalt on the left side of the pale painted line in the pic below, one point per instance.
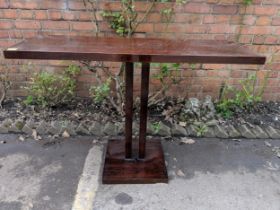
[(40, 177)]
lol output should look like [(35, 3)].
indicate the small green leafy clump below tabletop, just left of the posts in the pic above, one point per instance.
[(101, 92)]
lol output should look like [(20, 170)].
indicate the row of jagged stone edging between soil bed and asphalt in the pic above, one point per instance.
[(114, 129)]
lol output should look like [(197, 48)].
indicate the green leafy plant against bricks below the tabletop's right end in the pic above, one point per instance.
[(246, 97)]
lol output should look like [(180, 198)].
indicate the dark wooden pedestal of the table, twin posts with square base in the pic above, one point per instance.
[(121, 166)]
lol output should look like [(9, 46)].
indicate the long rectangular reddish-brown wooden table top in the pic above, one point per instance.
[(133, 50)]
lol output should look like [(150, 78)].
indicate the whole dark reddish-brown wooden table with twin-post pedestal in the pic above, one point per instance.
[(128, 160)]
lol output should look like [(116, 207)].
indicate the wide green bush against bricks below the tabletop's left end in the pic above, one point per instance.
[(50, 90)]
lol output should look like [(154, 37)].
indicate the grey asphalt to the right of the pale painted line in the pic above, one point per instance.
[(213, 174)]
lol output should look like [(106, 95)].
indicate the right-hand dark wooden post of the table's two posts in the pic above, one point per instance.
[(145, 75)]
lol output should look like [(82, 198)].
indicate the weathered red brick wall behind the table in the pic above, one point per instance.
[(257, 26)]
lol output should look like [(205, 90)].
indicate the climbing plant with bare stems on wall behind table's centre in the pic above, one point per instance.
[(125, 23)]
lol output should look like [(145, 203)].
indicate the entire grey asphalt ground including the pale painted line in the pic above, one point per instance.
[(65, 174)]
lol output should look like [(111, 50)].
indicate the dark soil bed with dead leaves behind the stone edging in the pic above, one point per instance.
[(82, 109)]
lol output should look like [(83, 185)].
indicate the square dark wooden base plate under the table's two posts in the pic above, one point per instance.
[(118, 170)]
